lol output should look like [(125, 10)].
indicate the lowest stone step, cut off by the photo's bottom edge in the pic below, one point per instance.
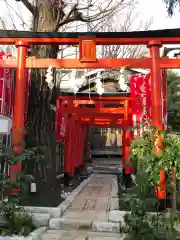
[(79, 235)]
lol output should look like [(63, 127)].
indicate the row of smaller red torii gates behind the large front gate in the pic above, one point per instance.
[(100, 111)]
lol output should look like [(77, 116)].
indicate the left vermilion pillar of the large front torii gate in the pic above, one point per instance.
[(19, 105)]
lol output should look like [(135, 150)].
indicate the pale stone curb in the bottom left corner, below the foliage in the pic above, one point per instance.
[(35, 235)]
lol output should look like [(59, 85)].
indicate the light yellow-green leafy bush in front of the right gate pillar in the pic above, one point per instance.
[(142, 150)]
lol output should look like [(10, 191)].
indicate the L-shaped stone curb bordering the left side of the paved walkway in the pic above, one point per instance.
[(57, 212)]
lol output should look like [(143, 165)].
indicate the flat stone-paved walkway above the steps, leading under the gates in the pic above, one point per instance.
[(94, 197)]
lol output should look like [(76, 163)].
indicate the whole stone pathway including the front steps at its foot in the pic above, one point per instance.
[(87, 217)]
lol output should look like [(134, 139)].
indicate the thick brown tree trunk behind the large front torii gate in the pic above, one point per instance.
[(41, 119)]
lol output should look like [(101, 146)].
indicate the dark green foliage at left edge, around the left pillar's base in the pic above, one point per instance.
[(17, 220)]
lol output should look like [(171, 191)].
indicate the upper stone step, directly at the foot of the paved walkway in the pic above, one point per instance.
[(84, 224)]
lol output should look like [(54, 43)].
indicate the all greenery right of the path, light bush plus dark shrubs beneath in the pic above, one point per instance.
[(144, 220)]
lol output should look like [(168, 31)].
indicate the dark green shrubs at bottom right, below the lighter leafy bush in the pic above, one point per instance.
[(143, 221)]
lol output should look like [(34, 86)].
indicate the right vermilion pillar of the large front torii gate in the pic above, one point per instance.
[(157, 106)]
